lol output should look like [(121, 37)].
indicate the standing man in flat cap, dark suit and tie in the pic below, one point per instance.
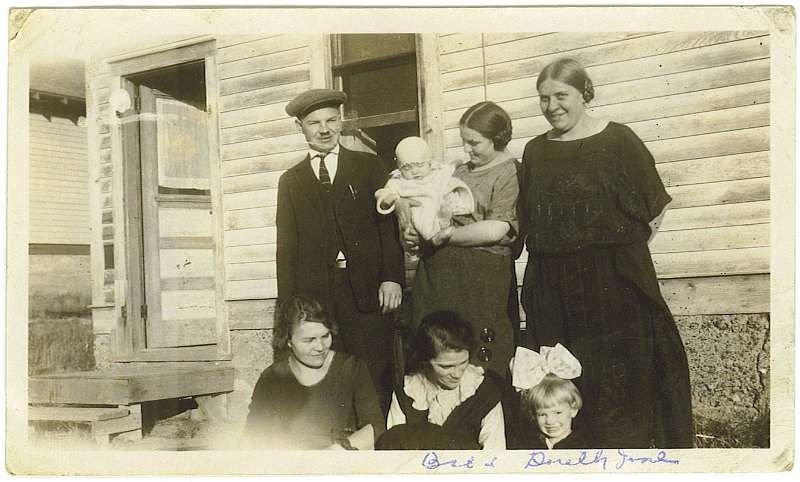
[(332, 243)]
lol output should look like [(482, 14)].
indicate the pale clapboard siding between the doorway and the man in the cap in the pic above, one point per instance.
[(258, 143)]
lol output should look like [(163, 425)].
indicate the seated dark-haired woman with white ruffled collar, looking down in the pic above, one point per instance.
[(446, 402)]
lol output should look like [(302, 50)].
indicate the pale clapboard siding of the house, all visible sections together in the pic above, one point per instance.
[(699, 100)]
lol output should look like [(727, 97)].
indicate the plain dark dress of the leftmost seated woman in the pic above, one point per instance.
[(287, 415)]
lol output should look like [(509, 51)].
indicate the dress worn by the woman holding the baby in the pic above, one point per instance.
[(475, 281)]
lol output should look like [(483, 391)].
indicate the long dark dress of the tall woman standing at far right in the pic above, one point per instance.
[(590, 284)]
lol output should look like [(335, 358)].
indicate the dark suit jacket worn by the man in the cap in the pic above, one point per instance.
[(306, 246)]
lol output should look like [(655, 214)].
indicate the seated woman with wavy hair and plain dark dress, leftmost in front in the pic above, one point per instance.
[(312, 397)]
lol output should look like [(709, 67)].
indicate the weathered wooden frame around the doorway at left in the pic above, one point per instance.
[(129, 336)]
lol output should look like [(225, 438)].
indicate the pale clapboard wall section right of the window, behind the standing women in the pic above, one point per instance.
[(699, 100)]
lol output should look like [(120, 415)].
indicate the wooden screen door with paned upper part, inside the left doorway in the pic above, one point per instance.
[(177, 223)]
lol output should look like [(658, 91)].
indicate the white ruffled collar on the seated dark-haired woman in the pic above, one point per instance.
[(439, 402)]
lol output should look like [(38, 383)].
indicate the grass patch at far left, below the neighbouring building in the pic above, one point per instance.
[(57, 345)]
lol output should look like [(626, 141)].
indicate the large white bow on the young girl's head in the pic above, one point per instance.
[(529, 368)]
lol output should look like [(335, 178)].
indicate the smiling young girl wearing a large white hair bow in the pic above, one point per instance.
[(549, 399)]
